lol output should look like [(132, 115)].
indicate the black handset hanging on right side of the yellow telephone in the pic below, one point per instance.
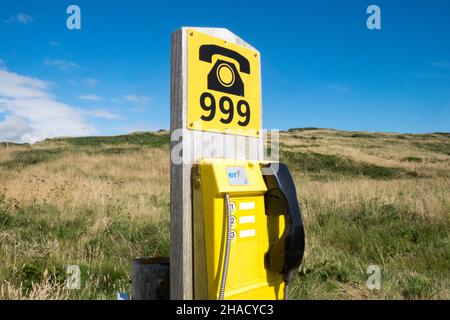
[(281, 198)]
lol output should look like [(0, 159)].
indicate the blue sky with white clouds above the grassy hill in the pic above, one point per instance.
[(321, 66)]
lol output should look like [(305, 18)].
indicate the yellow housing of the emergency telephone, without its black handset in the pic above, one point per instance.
[(253, 231)]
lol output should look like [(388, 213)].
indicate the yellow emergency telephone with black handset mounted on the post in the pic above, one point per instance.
[(248, 231)]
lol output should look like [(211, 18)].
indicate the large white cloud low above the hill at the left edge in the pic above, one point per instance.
[(33, 114)]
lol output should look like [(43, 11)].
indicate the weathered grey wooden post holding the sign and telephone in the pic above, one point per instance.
[(181, 256)]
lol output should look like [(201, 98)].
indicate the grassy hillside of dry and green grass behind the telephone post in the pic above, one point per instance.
[(367, 199)]
